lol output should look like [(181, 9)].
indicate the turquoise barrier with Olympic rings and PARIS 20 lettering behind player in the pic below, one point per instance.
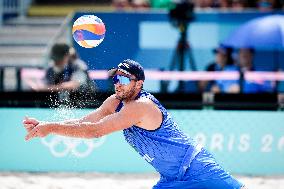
[(243, 142)]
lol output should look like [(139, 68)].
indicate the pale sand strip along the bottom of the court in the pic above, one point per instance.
[(24, 180)]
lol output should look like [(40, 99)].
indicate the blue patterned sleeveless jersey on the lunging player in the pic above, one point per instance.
[(167, 148)]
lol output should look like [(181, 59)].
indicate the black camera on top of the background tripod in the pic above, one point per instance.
[(182, 13)]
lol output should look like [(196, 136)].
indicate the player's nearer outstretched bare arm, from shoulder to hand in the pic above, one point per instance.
[(129, 115)]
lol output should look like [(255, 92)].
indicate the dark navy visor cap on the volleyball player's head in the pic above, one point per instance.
[(129, 67)]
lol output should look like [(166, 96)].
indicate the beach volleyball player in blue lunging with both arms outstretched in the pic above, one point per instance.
[(149, 129)]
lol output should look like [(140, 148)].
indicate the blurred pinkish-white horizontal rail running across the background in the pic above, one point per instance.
[(38, 74)]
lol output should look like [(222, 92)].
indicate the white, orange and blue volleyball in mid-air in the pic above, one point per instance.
[(88, 31)]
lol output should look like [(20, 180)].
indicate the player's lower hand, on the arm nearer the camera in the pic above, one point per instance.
[(40, 130)]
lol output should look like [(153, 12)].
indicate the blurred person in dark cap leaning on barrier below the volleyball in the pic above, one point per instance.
[(66, 71)]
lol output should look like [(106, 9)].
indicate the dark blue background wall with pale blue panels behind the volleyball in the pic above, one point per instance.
[(150, 38)]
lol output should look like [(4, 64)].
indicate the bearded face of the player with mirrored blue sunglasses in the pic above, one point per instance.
[(125, 86)]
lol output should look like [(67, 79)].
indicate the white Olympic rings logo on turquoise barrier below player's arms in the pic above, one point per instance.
[(61, 146)]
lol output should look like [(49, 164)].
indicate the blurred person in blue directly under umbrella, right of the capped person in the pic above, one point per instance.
[(245, 62)]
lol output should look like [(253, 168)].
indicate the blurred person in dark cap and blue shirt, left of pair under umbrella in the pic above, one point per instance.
[(223, 62)]
